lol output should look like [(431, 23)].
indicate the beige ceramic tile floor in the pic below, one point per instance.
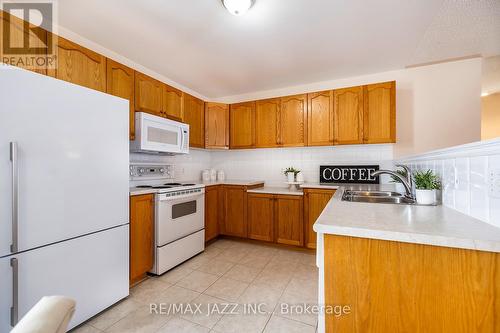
[(228, 274)]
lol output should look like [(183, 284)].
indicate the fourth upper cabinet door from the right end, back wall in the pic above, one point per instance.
[(293, 121)]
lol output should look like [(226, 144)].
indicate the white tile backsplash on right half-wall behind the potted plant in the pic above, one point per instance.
[(466, 178)]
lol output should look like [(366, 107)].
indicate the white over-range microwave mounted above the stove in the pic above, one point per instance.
[(158, 135)]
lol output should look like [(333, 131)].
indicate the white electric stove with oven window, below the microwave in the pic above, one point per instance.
[(179, 215)]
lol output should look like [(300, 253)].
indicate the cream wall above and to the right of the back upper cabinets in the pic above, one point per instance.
[(437, 105)]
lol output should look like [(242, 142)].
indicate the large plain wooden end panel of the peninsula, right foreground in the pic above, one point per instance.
[(404, 287)]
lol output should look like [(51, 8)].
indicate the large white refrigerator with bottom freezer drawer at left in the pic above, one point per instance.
[(64, 155)]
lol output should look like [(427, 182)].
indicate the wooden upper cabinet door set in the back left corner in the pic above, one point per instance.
[(216, 125)]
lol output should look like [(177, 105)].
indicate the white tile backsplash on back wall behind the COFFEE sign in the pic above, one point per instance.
[(268, 164)]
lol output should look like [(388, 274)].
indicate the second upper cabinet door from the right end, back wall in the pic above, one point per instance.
[(348, 115)]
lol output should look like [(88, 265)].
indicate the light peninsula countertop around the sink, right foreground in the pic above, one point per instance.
[(430, 225)]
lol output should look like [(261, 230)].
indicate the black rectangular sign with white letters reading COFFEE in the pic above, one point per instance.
[(356, 174)]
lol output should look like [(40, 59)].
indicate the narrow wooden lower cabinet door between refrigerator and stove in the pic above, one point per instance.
[(141, 236)]
